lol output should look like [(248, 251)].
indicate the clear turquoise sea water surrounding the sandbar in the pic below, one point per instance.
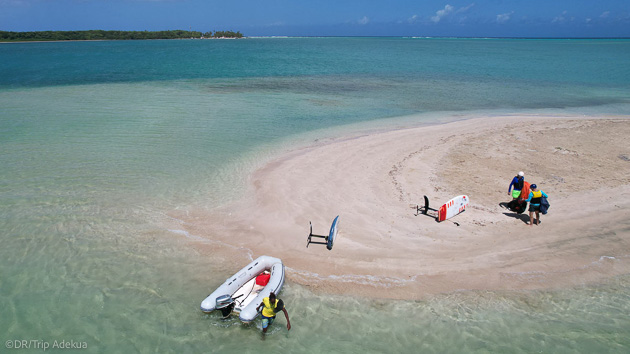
[(100, 141)]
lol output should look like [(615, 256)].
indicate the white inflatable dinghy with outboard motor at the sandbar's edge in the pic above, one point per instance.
[(241, 294)]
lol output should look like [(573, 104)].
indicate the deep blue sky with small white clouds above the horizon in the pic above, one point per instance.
[(472, 18)]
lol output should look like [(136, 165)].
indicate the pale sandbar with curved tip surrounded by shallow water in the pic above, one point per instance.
[(375, 181)]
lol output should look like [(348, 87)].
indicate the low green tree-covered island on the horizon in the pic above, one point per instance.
[(95, 35)]
